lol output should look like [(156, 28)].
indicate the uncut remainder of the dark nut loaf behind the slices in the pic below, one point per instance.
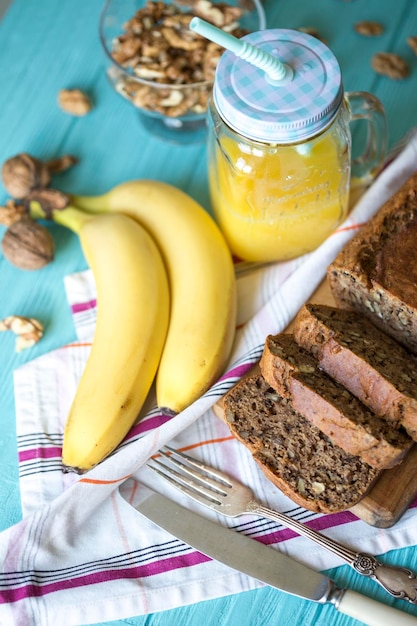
[(376, 272)]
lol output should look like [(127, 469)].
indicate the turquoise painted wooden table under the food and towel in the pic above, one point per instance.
[(47, 46)]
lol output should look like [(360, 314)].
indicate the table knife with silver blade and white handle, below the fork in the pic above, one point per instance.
[(265, 564)]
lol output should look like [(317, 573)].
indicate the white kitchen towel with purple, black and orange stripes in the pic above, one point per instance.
[(82, 553)]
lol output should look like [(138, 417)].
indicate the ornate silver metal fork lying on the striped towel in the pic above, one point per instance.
[(220, 492)]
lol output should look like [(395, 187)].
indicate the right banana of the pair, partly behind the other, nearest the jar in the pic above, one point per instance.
[(202, 281)]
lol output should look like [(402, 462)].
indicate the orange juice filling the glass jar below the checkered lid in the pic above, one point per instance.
[(278, 202)]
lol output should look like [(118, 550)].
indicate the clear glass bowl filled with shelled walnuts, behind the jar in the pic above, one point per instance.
[(161, 67)]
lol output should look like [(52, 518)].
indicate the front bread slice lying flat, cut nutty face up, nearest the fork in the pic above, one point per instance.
[(294, 455)]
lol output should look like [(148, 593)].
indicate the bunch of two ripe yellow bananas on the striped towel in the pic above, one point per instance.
[(166, 299)]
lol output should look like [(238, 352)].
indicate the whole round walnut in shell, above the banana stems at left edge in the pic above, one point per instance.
[(22, 173)]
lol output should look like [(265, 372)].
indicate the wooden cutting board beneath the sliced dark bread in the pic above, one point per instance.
[(396, 488)]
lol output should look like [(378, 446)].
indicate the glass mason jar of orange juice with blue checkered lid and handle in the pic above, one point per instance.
[(279, 155)]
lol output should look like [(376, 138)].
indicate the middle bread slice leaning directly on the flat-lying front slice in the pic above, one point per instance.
[(348, 423)]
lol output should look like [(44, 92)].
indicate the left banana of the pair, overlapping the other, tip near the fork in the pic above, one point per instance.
[(132, 322)]
